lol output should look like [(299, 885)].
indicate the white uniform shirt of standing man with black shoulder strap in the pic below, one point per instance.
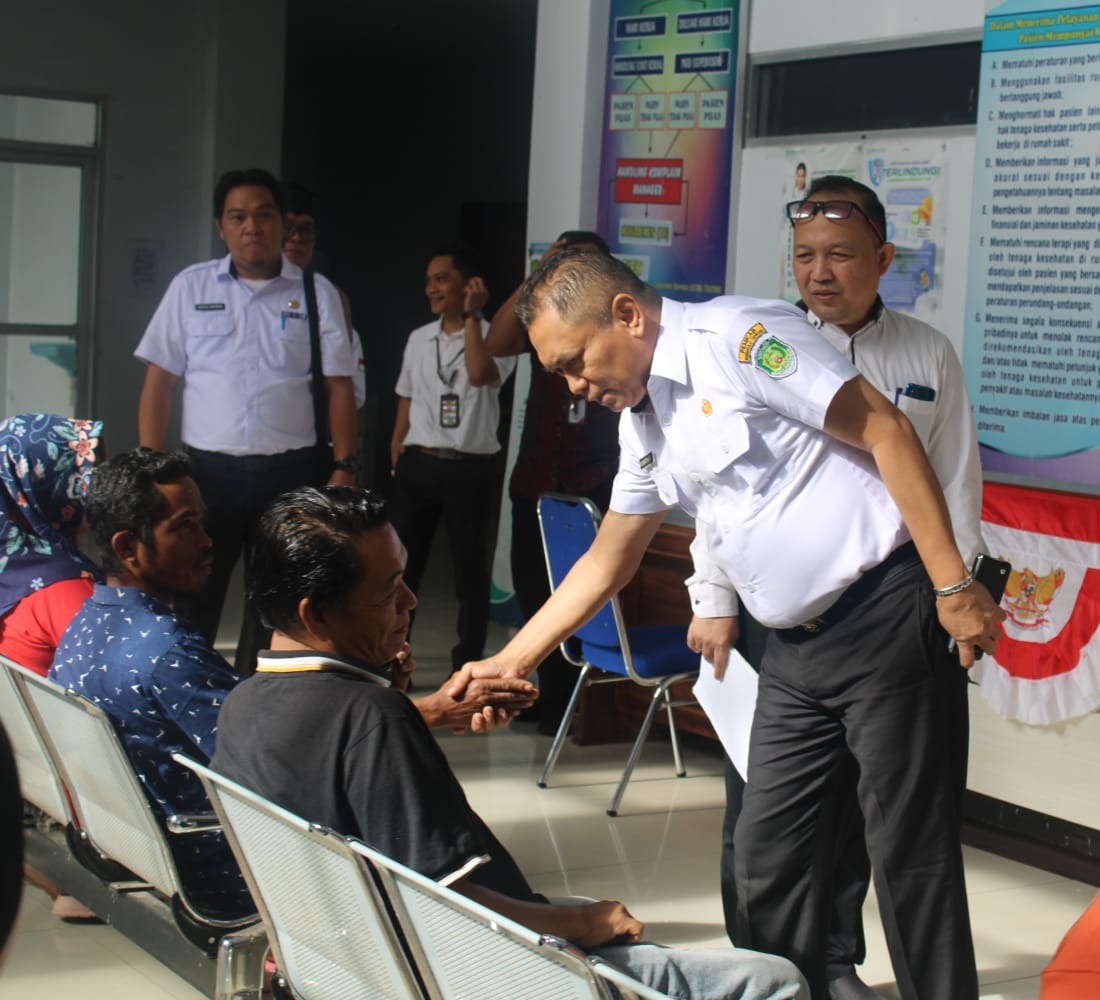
[(244, 357)]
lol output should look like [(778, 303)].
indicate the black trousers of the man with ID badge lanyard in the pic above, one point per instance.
[(459, 491)]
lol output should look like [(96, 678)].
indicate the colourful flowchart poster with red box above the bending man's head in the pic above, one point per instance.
[(667, 164)]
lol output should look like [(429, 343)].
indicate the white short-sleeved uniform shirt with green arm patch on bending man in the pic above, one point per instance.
[(740, 389)]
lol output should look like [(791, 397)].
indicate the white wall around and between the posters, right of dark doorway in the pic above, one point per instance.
[(1021, 765)]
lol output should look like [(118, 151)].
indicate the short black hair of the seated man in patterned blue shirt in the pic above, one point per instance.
[(123, 497)]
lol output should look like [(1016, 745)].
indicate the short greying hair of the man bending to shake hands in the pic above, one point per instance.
[(579, 285)]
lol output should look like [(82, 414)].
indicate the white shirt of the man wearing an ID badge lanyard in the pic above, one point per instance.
[(434, 366)]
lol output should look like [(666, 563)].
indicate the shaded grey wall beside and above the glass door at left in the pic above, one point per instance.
[(189, 91)]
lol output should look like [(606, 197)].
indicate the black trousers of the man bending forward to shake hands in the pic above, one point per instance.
[(876, 687)]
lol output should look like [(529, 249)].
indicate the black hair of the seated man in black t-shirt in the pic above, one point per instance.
[(306, 547)]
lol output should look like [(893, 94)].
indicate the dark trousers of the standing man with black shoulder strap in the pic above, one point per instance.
[(237, 490)]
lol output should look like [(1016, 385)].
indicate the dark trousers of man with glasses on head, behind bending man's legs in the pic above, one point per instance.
[(853, 874)]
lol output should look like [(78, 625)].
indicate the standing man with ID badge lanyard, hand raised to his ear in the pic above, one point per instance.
[(446, 436)]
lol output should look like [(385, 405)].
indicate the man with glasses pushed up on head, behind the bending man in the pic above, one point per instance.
[(840, 256)]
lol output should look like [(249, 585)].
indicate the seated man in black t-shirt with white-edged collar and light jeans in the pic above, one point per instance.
[(327, 574)]
